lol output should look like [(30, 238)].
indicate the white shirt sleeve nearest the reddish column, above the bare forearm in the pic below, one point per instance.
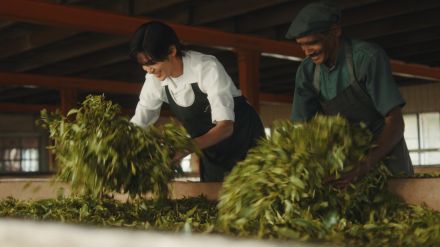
[(219, 86)]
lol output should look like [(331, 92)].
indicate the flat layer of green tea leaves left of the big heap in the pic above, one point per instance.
[(189, 215)]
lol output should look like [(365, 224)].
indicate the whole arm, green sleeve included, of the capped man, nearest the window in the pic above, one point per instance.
[(374, 70)]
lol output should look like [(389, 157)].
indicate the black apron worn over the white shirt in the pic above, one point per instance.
[(219, 159)]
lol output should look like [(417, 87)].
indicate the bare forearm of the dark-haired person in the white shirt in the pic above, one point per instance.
[(221, 131)]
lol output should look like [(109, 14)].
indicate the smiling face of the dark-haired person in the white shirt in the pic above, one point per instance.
[(160, 69)]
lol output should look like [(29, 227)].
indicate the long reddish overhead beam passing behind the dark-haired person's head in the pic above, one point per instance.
[(86, 19)]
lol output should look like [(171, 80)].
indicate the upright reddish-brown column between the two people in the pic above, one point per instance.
[(249, 76)]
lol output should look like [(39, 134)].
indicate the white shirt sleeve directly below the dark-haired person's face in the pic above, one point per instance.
[(149, 104)]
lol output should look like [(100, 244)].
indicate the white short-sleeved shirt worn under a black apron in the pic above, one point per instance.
[(207, 72)]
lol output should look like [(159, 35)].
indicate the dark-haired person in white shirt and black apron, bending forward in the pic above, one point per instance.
[(200, 94)]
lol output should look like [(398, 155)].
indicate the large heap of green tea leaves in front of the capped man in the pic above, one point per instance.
[(278, 191)]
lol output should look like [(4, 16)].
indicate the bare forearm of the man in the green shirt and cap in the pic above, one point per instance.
[(391, 134)]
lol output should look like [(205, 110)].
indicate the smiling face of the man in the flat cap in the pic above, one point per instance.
[(320, 47)]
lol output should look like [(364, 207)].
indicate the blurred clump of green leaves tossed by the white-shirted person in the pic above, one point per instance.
[(99, 151)]
